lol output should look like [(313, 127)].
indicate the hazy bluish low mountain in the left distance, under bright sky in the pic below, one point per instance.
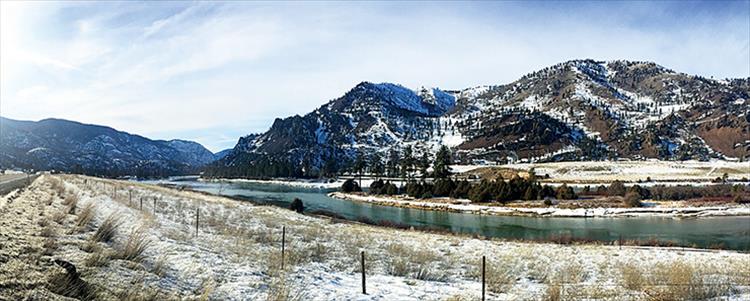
[(56, 144)]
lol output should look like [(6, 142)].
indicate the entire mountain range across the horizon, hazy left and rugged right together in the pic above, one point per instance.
[(576, 110)]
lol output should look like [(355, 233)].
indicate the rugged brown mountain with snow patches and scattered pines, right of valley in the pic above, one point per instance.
[(576, 110)]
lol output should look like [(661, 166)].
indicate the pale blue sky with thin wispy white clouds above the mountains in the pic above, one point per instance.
[(212, 72)]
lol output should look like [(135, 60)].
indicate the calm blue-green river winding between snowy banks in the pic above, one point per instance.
[(731, 232)]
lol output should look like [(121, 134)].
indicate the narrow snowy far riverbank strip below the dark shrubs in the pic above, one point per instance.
[(465, 206)]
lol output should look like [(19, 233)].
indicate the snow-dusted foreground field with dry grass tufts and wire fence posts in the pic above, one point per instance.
[(236, 254)]
